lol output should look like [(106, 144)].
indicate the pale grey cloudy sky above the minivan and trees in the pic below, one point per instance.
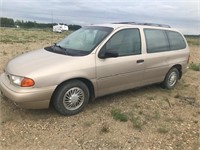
[(183, 15)]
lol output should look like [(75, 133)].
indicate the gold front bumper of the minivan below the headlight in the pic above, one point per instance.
[(30, 98)]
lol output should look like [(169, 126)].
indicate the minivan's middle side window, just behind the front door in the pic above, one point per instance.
[(156, 40)]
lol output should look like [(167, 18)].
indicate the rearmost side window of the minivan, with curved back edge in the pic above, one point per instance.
[(176, 40)]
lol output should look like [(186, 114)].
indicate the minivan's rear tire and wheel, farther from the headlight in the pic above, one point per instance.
[(171, 78)]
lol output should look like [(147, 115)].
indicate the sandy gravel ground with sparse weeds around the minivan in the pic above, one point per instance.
[(158, 118)]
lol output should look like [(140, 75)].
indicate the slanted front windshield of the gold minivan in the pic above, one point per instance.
[(83, 41)]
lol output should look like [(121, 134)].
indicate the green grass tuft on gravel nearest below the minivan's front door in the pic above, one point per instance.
[(118, 115)]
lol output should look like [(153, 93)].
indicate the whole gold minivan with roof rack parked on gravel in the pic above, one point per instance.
[(94, 61)]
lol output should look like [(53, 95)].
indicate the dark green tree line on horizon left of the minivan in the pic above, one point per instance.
[(9, 22)]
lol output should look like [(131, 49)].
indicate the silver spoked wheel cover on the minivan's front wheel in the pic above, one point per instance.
[(73, 98)]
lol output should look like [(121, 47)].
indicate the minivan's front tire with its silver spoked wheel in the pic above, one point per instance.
[(71, 97)]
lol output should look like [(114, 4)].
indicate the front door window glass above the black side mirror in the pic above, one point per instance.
[(125, 42)]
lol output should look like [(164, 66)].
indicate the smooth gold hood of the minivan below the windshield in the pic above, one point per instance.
[(37, 61)]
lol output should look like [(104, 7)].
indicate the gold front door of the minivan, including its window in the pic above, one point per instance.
[(125, 71)]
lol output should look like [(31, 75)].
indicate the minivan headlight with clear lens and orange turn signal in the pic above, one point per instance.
[(21, 81)]
